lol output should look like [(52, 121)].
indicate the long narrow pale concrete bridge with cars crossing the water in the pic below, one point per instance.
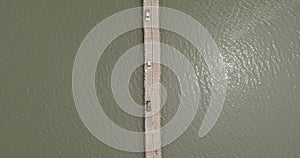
[(152, 79)]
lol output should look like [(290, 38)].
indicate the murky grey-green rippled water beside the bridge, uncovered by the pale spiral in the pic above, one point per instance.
[(259, 41)]
